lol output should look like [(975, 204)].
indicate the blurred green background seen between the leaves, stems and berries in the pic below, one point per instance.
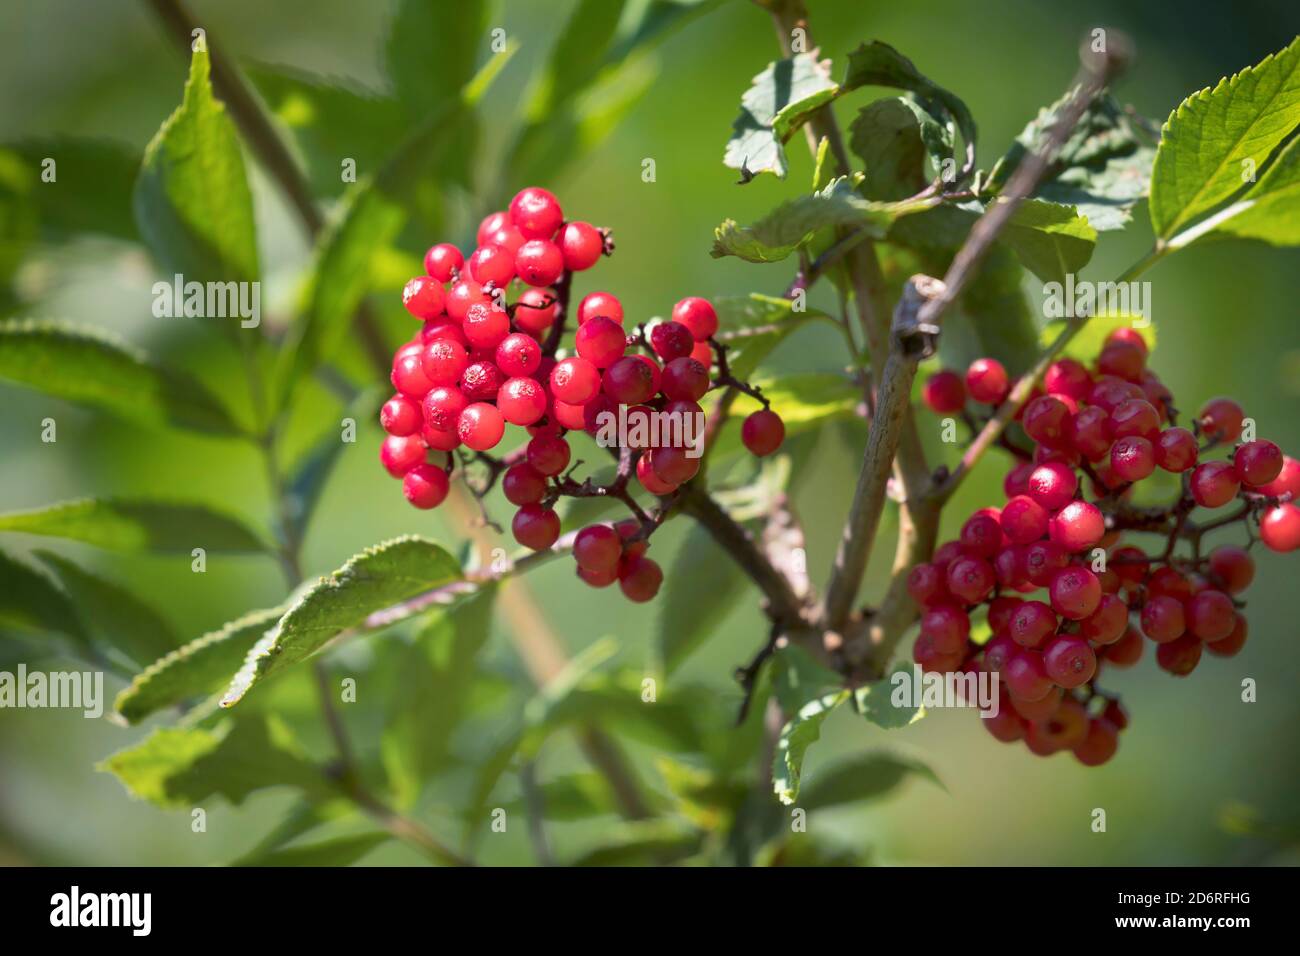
[(1195, 756)]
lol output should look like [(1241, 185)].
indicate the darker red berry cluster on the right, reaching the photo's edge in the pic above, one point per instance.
[(1116, 425)]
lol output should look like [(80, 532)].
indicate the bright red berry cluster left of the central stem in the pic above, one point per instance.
[(482, 362)]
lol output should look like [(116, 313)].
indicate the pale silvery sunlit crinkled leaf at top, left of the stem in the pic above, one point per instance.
[(778, 101)]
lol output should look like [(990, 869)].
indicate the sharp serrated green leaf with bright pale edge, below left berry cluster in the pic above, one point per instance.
[(370, 582)]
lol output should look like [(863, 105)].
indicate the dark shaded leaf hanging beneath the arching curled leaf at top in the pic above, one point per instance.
[(895, 137)]
